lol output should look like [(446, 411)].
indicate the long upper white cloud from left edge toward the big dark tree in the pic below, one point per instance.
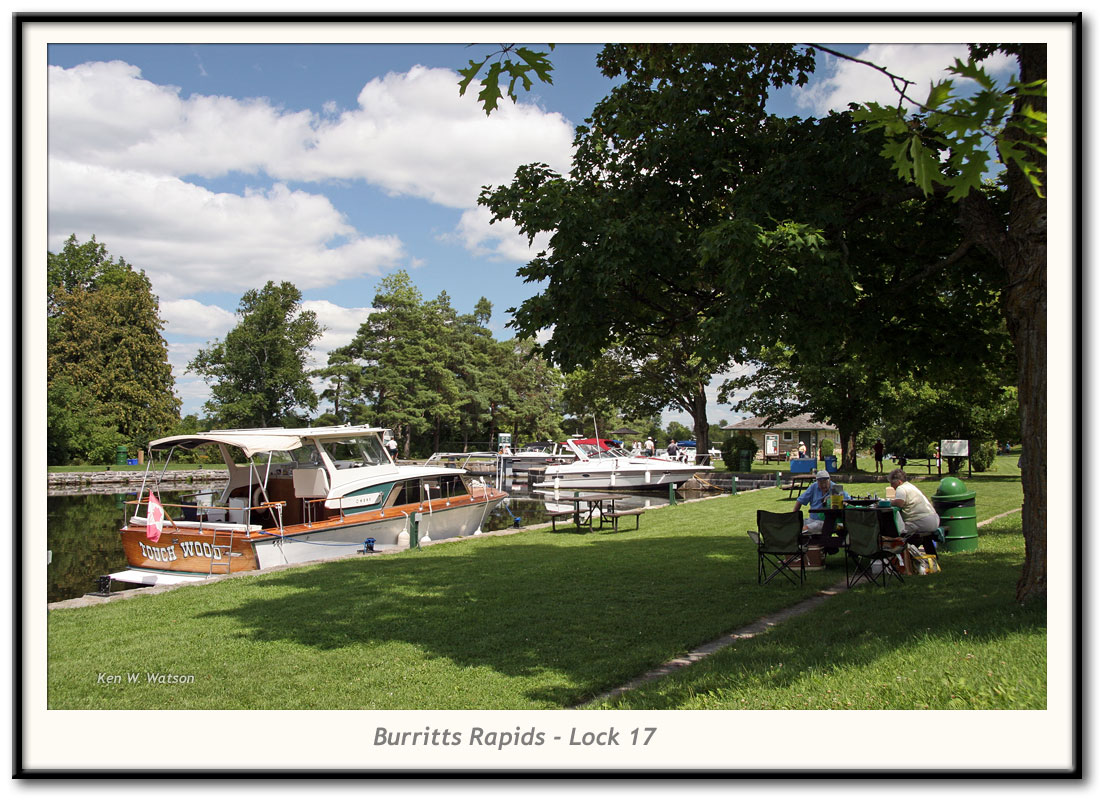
[(412, 134)]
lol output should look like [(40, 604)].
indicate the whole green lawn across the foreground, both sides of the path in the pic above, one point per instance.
[(543, 620)]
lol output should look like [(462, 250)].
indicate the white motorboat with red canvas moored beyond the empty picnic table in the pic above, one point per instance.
[(597, 467)]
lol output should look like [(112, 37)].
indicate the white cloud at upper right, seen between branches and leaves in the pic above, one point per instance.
[(849, 82)]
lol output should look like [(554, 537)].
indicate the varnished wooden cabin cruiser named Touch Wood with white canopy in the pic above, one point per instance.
[(298, 496)]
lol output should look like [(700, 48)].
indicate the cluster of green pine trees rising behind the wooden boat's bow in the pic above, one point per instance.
[(438, 378)]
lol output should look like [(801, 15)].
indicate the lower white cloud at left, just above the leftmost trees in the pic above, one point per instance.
[(190, 239)]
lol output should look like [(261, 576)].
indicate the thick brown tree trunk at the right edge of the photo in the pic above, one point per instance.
[(1020, 246)]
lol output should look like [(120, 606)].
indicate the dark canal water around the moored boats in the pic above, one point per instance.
[(83, 530)]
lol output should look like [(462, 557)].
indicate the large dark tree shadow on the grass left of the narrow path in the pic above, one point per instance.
[(578, 613)]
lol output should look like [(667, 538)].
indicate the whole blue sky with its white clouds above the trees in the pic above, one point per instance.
[(216, 168)]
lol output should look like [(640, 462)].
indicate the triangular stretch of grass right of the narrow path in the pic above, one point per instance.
[(950, 641)]
